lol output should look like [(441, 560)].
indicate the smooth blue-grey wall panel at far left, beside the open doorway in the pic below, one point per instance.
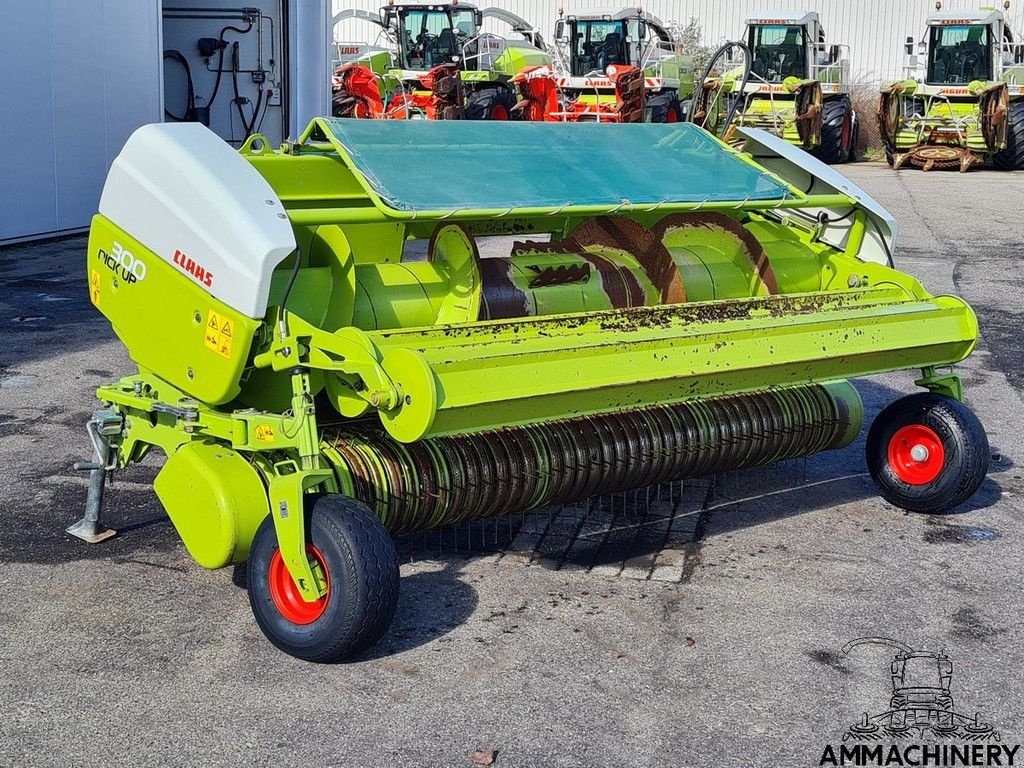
[(78, 78)]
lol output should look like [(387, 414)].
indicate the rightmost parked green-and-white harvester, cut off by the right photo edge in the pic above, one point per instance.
[(962, 103)]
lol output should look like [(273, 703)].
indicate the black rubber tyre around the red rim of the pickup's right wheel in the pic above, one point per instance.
[(965, 443)]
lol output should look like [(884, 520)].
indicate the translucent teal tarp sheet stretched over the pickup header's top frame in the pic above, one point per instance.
[(417, 165)]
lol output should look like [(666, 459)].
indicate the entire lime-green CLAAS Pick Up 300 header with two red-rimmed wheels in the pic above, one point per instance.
[(326, 358)]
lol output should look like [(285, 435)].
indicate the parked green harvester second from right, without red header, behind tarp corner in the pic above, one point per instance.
[(796, 86)]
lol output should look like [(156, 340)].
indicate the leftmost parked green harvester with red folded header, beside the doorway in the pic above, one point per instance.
[(438, 64)]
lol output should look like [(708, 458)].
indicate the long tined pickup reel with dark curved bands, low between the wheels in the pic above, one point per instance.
[(456, 479)]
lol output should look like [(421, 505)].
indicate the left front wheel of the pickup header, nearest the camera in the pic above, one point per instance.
[(362, 567)]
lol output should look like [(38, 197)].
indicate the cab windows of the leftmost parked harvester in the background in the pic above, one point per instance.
[(430, 37)]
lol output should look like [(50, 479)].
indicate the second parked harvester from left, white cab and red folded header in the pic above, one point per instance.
[(623, 67)]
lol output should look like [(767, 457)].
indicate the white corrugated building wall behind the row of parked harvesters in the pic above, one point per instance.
[(875, 30)]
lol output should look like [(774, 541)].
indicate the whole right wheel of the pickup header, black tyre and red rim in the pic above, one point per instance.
[(927, 453)]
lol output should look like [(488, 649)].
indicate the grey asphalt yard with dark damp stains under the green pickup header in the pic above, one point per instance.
[(126, 654)]
